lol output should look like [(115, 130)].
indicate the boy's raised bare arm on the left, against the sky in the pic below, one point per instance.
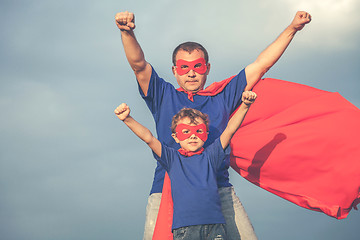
[(123, 113)]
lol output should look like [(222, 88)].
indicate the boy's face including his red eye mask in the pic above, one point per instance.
[(196, 134)]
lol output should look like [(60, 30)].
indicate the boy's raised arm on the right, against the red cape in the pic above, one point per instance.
[(235, 121)]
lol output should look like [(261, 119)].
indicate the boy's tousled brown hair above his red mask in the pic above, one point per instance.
[(191, 113)]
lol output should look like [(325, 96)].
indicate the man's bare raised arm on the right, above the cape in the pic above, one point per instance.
[(256, 70)]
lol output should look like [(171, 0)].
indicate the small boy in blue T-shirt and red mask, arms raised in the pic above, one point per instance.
[(193, 170)]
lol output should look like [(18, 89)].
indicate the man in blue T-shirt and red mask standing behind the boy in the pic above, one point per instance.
[(191, 68)]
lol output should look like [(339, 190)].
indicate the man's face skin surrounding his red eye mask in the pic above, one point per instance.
[(191, 81)]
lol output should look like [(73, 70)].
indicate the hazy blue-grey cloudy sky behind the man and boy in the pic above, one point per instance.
[(69, 169)]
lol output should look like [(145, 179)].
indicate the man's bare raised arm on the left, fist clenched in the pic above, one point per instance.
[(134, 54)]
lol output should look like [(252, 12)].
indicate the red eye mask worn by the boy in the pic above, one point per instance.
[(184, 131)]
